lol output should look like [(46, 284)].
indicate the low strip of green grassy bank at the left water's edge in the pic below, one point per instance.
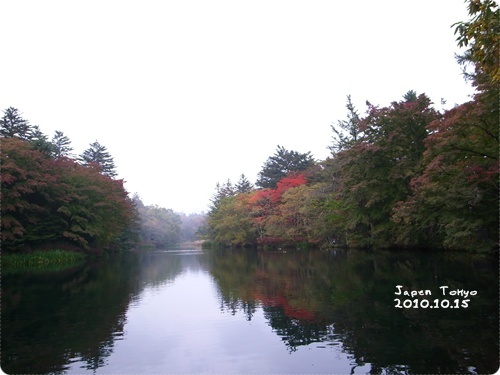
[(47, 260)]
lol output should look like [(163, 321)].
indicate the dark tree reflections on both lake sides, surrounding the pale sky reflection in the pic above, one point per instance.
[(315, 299)]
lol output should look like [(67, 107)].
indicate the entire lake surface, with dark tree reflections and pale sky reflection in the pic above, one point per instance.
[(246, 312)]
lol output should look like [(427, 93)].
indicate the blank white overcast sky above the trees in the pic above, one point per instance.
[(188, 93)]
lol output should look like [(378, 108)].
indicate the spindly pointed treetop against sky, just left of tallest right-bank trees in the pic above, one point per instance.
[(347, 132)]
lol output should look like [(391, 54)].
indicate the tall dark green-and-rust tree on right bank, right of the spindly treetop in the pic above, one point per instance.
[(373, 175)]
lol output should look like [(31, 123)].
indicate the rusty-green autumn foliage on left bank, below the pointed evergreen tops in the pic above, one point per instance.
[(57, 201)]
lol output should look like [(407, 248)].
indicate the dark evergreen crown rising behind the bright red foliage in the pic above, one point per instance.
[(281, 164)]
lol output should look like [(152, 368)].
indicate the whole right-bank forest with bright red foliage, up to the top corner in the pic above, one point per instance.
[(405, 175)]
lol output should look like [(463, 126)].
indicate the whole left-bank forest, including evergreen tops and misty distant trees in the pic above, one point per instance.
[(51, 198)]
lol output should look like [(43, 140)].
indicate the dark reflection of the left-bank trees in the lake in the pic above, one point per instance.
[(49, 318)]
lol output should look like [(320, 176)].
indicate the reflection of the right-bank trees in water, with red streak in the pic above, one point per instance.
[(329, 297)]
